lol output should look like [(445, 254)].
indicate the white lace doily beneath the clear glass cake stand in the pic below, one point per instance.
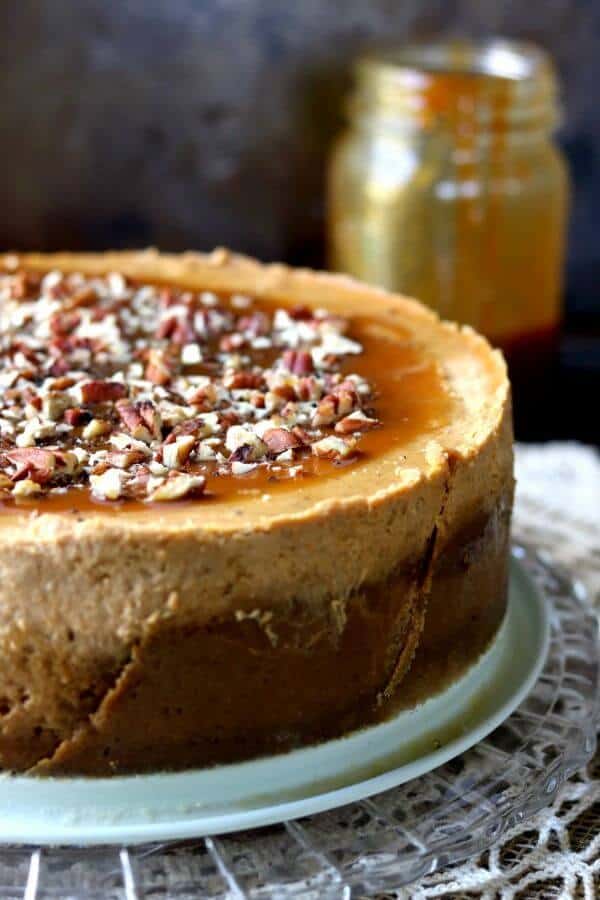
[(555, 854)]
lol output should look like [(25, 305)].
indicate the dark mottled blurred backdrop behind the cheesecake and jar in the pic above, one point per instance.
[(193, 123)]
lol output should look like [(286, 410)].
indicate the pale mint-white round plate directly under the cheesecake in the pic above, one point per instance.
[(133, 809)]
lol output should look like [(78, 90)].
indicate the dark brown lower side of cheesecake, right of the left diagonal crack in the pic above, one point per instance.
[(195, 697)]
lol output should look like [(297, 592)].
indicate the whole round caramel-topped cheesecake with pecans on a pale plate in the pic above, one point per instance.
[(238, 504)]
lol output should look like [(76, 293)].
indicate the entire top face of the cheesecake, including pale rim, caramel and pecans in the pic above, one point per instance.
[(136, 380)]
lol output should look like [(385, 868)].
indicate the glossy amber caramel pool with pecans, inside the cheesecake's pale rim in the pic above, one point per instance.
[(386, 393)]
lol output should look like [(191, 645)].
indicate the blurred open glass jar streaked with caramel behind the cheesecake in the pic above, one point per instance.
[(447, 185)]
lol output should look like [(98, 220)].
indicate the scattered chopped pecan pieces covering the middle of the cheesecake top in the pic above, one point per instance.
[(144, 392)]
